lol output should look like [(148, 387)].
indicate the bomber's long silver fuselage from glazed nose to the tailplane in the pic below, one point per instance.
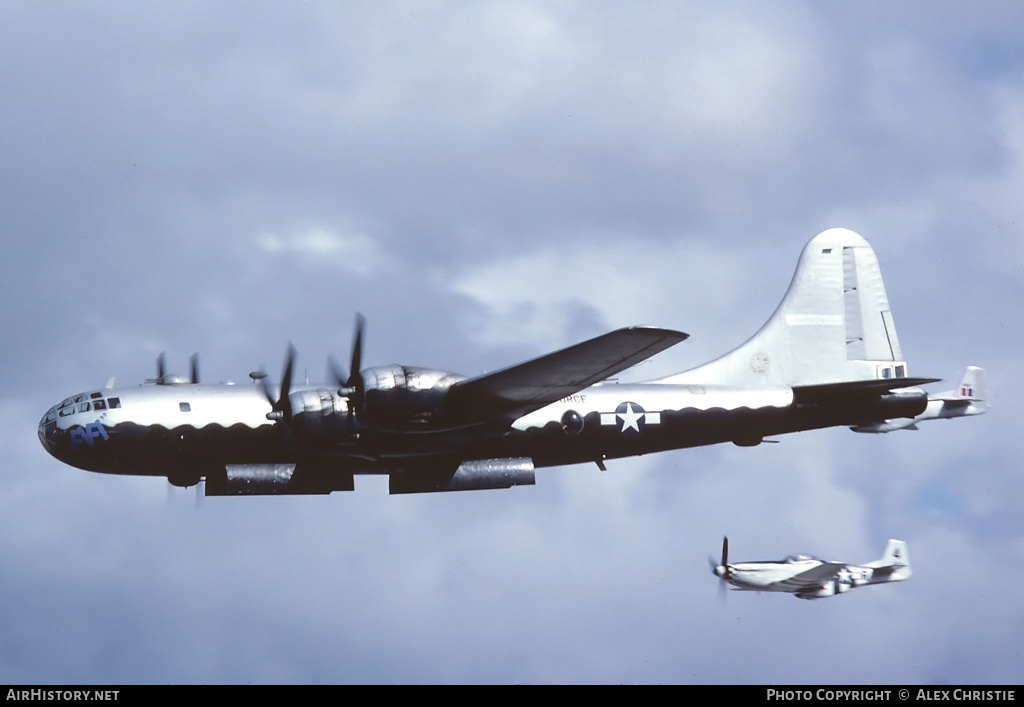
[(168, 430)]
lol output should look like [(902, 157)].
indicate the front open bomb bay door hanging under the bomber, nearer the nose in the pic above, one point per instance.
[(277, 480)]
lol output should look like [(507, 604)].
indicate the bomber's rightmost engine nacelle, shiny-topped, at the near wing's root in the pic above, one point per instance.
[(403, 397)]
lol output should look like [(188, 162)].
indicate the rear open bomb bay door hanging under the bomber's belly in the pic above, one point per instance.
[(477, 475)]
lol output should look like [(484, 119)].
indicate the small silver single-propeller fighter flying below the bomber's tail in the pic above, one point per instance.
[(810, 578)]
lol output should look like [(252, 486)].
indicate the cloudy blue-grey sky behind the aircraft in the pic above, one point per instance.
[(488, 182)]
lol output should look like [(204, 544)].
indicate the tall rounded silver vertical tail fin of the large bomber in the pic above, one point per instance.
[(834, 325)]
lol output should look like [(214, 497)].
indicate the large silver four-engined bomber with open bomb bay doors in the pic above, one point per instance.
[(828, 357)]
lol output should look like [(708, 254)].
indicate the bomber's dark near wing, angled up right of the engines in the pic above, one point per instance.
[(539, 383)]
